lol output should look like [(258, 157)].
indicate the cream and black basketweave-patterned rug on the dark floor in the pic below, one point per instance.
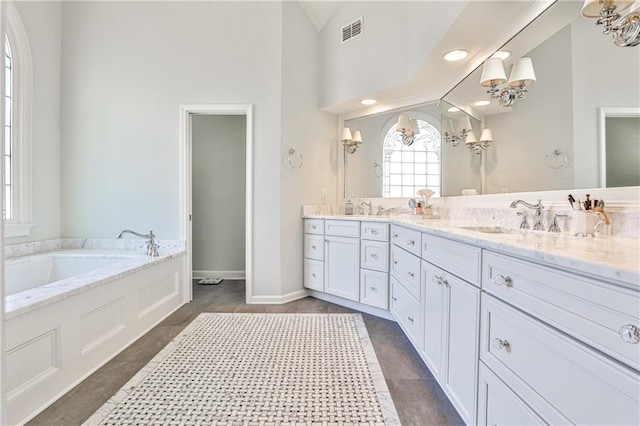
[(258, 369)]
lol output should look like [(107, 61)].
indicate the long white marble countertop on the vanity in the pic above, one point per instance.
[(613, 259)]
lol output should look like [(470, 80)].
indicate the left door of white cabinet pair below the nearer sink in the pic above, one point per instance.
[(435, 295)]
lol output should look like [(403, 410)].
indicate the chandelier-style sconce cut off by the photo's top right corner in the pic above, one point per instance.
[(626, 31)]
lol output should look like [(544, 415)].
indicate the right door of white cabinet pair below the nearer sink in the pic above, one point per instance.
[(462, 344)]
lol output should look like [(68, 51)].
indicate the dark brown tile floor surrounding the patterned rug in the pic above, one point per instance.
[(418, 398)]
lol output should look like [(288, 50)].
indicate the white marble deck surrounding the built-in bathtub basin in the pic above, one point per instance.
[(34, 298)]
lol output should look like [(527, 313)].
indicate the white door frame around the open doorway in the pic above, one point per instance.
[(186, 187)]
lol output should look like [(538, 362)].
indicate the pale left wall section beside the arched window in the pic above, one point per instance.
[(42, 22)]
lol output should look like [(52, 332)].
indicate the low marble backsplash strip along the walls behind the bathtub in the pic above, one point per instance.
[(35, 247)]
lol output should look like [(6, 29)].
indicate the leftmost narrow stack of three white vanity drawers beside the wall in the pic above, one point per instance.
[(314, 254)]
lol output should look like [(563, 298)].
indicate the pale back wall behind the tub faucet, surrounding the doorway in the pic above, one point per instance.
[(127, 66)]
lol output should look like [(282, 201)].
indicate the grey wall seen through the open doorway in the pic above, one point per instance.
[(218, 195)]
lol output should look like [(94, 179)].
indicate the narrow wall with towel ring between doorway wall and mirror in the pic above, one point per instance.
[(309, 131)]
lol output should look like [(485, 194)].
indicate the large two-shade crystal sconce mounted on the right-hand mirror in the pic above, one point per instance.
[(522, 75)]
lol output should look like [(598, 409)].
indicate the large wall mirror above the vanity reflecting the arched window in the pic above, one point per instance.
[(551, 140)]
